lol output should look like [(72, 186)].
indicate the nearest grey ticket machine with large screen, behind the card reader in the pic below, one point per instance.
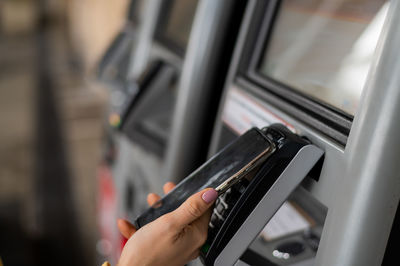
[(319, 67)]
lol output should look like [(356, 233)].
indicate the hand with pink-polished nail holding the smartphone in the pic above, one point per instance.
[(173, 239)]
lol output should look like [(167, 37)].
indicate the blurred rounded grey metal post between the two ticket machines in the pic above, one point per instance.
[(194, 90)]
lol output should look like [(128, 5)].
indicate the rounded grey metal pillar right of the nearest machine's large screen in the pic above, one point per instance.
[(359, 221)]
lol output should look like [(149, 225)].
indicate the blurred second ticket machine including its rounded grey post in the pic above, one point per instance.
[(178, 84)]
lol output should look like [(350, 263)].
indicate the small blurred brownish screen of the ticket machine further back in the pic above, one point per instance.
[(180, 21)]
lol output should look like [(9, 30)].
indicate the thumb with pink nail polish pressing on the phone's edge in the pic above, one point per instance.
[(195, 206)]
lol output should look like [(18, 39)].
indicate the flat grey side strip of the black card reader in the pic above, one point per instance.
[(290, 178)]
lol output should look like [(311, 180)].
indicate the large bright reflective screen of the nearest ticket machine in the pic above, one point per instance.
[(324, 48)]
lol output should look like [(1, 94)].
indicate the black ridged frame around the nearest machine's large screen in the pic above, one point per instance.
[(322, 116)]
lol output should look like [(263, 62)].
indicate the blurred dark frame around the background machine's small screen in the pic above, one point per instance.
[(160, 33)]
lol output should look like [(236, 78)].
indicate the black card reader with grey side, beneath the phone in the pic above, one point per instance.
[(244, 210)]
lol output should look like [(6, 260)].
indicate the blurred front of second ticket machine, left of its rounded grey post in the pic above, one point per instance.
[(142, 124)]
